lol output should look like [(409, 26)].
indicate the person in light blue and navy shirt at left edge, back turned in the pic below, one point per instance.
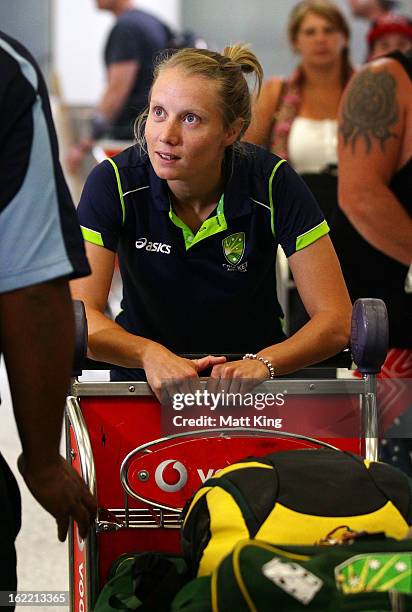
[(40, 250)]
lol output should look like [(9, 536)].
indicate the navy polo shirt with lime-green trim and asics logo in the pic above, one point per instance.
[(213, 291)]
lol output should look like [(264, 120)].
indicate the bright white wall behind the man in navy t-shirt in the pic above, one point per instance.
[(79, 33)]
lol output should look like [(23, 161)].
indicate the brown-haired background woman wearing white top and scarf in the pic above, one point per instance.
[(296, 117)]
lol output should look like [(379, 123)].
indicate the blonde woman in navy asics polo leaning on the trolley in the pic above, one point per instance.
[(196, 218)]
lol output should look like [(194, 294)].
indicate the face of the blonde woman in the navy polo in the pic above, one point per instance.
[(184, 131)]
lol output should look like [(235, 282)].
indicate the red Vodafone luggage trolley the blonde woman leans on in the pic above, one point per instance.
[(143, 480)]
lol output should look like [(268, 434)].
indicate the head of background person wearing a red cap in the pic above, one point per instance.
[(392, 32)]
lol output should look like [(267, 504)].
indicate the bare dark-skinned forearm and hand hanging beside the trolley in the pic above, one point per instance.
[(37, 335)]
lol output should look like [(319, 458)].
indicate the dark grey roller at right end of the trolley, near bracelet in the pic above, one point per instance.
[(369, 334)]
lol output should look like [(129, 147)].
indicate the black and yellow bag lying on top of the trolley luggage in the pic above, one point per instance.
[(292, 497)]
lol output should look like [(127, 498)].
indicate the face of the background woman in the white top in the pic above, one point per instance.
[(318, 41)]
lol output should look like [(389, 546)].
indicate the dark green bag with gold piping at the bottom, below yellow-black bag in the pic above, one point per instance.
[(372, 574)]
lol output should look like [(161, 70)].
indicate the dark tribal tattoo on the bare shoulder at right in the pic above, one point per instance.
[(370, 109)]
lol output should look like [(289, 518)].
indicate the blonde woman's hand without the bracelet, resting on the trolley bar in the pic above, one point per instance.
[(168, 374)]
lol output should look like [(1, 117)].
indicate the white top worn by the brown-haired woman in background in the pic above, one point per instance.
[(313, 144)]
